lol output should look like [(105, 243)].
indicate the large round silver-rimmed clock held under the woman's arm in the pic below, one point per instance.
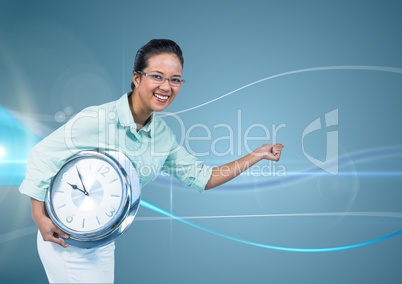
[(94, 197)]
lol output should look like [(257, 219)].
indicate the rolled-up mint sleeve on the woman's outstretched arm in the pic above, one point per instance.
[(187, 168)]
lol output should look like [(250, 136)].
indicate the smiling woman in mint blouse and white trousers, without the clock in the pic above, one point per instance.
[(127, 125)]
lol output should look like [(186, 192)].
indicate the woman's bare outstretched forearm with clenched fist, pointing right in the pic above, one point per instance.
[(225, 173)]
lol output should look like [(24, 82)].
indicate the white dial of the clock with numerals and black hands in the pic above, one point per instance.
[(87, 195)]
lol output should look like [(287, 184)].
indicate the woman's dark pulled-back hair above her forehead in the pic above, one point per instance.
[(155, 47)]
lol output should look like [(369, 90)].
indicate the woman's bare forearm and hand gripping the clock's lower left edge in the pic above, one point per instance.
[(49, 231)]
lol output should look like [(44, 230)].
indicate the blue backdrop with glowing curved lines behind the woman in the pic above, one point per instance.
[(59, 57)]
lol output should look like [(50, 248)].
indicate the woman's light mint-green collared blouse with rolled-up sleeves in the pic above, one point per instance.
[(111, 127)]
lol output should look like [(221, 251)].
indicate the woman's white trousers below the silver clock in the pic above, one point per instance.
[(76, 265)]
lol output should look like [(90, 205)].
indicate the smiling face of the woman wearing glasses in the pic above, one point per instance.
[(154, 96)]
